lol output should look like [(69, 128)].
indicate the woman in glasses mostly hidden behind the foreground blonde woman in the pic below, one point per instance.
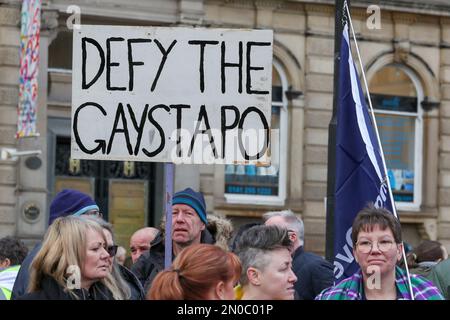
[(128, 282)]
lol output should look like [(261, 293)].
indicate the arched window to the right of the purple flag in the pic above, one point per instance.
[(396, 94)]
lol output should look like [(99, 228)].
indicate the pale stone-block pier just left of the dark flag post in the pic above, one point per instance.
[(318, 107)]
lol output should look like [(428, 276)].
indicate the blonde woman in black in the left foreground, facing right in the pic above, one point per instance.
[(73, 264)]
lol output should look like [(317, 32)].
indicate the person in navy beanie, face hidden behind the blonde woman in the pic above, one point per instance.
[(67, 202)]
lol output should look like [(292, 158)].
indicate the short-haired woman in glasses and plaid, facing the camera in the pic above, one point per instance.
[(377, 246)]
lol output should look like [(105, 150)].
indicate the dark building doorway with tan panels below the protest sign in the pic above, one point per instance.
[(123, 190)]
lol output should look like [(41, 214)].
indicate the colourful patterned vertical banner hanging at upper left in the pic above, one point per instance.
[(29, 64)]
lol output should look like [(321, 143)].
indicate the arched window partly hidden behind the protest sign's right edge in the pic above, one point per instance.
[(264, 185)]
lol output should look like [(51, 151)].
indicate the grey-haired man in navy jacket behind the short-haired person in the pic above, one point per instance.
[(313, 272)]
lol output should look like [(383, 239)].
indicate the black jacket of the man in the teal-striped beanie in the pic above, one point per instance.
[(151, 262)]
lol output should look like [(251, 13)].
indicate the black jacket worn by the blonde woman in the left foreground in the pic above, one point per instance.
[(51, 290)]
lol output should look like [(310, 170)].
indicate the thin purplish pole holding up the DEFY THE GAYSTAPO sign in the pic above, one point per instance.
[(169, 174)]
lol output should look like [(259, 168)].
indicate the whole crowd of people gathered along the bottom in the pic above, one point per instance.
[(79, 259)]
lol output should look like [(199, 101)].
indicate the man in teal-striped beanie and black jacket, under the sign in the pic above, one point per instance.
[(188, 227)]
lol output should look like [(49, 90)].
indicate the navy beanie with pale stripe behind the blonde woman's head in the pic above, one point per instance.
[(70, 202)]
